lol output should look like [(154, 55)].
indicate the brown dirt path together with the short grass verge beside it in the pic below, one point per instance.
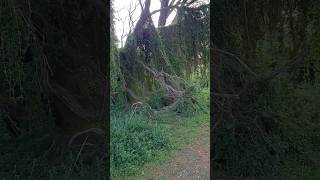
[(190, 158)]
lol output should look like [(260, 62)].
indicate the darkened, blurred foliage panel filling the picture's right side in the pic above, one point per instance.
[(266, 70)]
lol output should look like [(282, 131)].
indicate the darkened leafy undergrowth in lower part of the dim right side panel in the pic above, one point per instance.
[(295, 140)]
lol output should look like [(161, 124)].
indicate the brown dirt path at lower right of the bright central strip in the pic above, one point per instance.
[(191, 163)]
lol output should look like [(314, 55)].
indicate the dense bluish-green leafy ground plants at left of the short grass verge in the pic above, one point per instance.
[(135, 140)]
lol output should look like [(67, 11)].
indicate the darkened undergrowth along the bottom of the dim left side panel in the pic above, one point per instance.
[(28, 158)]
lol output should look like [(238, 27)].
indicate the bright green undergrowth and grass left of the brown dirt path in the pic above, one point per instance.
[(140, 138)]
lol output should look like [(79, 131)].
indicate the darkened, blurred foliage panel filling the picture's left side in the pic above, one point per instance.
[(37, 45)]
